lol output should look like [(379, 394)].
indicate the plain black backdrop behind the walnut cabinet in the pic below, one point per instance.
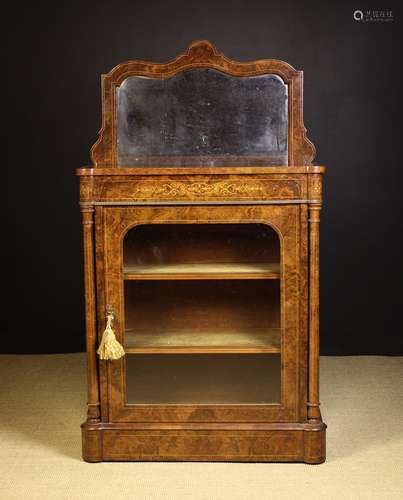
[(352, 91)]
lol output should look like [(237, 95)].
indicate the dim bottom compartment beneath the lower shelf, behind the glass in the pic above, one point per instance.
[(203, 379)]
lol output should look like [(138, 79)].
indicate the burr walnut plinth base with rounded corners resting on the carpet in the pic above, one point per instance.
[(274, 442)]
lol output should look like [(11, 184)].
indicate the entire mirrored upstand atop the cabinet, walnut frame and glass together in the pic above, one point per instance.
[(202, 110)]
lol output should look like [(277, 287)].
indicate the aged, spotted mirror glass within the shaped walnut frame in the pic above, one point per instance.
[(202, 117)]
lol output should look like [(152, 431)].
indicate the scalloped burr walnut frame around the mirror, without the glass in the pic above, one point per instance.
[(201, 54)]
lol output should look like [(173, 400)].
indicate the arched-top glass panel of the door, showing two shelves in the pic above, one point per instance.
[(202, 314)]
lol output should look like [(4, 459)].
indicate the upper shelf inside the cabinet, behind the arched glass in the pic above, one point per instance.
[(205, 271)]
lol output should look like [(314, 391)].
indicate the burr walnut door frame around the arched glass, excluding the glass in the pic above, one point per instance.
[(285, 220)]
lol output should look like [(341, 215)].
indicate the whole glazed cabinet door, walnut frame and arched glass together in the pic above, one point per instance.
[(207, 304)]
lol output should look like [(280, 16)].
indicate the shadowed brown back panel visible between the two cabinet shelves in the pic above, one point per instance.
[(202, 306)]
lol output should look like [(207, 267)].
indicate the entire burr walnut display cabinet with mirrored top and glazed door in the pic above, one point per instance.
[(201, 235)]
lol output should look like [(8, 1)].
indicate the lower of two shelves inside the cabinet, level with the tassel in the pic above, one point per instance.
[(180, 342)]
